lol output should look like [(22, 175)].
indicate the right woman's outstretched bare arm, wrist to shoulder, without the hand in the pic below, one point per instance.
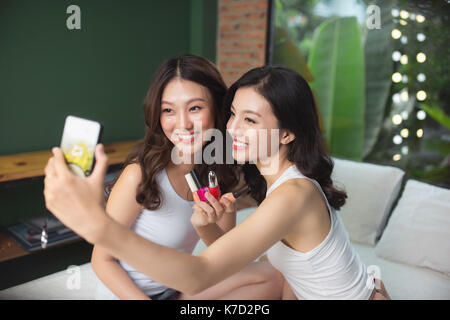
[(227, 255)]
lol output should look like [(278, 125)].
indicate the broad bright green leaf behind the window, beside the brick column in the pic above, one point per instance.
[(337, 64)]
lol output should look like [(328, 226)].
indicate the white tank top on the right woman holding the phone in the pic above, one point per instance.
[(332, 270)]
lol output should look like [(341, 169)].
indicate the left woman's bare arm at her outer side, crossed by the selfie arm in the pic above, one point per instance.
[(123, 208)]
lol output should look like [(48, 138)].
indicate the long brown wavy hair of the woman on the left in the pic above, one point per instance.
[(153, 151)]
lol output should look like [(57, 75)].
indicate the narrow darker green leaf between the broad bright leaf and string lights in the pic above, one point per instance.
[(378, 50)]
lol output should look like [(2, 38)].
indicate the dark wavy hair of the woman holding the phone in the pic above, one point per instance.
[(293, 104)]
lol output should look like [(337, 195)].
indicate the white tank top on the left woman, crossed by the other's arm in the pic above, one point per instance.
[(170, 226)]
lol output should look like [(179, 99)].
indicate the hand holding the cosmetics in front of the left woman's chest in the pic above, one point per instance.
[(212, 211)]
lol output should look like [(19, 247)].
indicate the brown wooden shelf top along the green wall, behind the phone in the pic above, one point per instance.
[(32, 164)]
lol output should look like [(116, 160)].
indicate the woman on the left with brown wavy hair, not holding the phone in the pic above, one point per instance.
[(152, 198)]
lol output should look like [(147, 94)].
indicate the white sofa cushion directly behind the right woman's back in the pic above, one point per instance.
[(371, 190)]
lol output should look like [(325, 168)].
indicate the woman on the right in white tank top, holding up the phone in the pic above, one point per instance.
[(297, 222)]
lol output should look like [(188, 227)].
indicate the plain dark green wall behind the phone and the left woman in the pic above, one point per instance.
[(100, 72)]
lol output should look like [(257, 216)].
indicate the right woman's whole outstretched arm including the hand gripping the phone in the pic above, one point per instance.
[(77, 203)]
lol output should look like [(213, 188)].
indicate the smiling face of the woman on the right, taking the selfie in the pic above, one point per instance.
[(253, 127)]
